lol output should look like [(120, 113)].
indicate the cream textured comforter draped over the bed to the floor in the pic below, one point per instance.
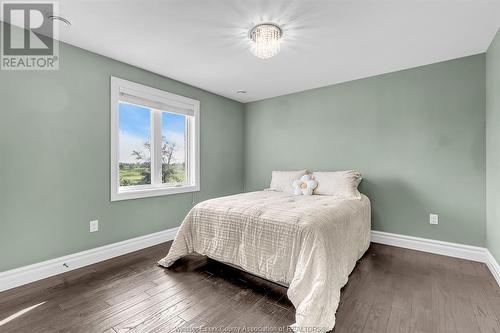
[(310, 243)]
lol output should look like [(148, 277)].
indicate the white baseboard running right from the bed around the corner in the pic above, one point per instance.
[(474, 253)]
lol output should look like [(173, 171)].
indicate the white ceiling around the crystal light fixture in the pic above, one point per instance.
[(205, 43)]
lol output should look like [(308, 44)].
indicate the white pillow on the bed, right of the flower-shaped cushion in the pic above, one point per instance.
[(339, 183)]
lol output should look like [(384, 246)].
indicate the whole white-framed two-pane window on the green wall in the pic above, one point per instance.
[(154, 142)]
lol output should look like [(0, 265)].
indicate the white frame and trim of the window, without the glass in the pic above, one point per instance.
[(176, 102)]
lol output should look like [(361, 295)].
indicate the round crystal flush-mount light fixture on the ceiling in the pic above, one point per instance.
[(266, 40)]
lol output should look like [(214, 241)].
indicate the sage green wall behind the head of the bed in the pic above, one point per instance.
[(417, 136)]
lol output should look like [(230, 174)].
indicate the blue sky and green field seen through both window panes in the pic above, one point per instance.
[(135, 146)]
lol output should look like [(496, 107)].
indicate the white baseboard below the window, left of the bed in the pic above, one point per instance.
[(31, 273)]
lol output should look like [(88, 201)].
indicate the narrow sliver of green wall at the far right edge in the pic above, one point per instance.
[(493, 147)]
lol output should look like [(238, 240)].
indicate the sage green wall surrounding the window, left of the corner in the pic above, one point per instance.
[(55, 159)]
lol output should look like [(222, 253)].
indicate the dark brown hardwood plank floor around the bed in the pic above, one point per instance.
[(390, 290)]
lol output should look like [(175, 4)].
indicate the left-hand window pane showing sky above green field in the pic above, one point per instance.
[(135, 145)]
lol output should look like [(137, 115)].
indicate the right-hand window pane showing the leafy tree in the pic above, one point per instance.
[(173, 148)]
